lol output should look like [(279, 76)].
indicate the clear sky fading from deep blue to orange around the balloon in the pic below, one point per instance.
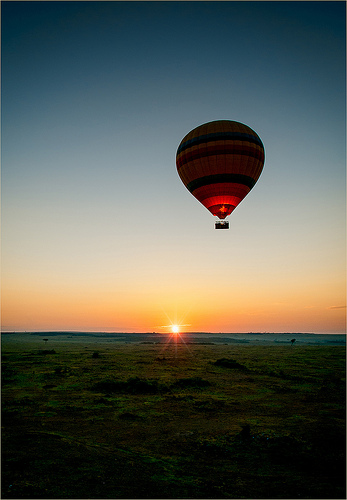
[(98, 231)]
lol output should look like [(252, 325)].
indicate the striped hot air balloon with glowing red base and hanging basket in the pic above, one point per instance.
[(219, 163)]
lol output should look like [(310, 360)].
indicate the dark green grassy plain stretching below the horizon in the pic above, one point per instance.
[(133, 421)]
